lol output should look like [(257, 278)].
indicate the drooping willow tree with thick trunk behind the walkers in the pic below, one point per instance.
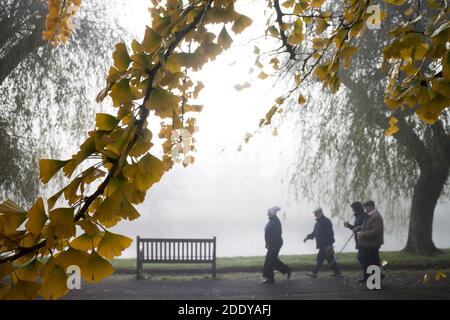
[(354, 160)]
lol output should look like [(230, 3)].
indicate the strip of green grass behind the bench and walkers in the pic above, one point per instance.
[(347, 261)]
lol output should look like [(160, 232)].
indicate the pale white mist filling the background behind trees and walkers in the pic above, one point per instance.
[(226, 192)]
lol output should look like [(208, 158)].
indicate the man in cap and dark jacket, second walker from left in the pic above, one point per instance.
[(324, 235)]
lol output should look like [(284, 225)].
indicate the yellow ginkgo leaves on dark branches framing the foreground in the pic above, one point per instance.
[(153, 78)]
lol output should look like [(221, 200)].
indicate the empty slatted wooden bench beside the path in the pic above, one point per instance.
[(175, 251)]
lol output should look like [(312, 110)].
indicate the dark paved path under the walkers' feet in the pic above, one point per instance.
[(397, 285)]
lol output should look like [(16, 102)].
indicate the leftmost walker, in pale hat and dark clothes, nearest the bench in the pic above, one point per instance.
[(274, 241)]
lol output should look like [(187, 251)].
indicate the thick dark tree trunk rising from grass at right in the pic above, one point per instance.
[(426, 194)]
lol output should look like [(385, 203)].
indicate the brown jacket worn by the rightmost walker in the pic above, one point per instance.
[(371, 231)]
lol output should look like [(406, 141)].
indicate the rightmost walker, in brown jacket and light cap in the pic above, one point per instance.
[(370, 237)]
